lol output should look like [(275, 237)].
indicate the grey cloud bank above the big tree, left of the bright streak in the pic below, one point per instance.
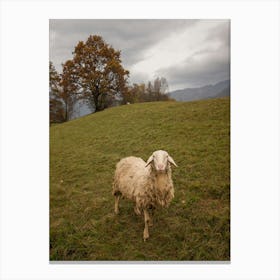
[(132, 37)]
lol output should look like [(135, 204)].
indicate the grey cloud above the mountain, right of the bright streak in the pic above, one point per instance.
[(207, 65)]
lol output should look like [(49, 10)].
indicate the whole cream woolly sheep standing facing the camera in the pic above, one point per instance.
[(148, 184)]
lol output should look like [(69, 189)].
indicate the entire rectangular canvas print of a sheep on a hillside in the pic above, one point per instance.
[(139, 140)]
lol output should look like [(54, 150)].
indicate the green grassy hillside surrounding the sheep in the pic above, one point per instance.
[(83, 154)]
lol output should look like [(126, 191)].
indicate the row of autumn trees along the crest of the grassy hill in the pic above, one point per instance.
[(96, 77)]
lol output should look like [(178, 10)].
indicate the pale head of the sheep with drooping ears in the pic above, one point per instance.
[(160, 161)]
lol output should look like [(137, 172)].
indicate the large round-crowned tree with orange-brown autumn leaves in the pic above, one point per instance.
[(99, 73)]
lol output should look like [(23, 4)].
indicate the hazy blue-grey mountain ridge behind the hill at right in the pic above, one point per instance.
[(209, 91)]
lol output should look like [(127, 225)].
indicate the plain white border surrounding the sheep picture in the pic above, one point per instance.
[(254, 129)]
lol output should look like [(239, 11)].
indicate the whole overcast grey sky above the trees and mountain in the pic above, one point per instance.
[(188, 53)]
